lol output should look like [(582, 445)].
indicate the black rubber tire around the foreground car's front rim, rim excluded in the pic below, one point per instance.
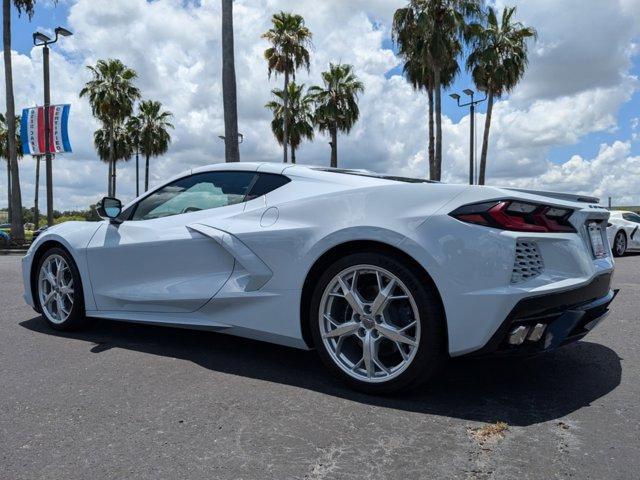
[(76, 319)]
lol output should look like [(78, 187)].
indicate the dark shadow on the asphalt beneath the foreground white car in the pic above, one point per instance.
[(517, 391)]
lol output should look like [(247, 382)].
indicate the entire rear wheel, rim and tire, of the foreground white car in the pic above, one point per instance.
[(376, 324)]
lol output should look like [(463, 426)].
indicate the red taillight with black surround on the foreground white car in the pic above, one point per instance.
[(517, 216)]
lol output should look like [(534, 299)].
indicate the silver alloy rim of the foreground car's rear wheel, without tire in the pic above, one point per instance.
[(369, 323)]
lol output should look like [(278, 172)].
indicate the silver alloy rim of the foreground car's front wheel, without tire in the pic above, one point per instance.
[(55, 289)]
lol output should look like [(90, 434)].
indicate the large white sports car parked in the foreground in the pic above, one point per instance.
[(386, 277)]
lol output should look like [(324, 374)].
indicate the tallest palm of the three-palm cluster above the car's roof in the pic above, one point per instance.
[(290, 42)]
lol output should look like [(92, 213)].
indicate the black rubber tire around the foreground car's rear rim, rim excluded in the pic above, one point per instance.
[(431, 352)]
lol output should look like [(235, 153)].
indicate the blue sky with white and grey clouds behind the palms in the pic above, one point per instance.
[(571, 125)]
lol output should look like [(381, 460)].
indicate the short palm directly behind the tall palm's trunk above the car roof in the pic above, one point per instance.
[(301, 119)]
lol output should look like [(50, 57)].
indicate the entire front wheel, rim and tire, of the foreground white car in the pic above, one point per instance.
[(59, 291)]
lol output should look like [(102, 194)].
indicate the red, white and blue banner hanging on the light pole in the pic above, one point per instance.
[(32, 130)]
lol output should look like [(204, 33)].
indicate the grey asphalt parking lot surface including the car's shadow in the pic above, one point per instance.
[(131, 401)]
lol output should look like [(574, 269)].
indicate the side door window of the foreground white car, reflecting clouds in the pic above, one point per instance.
[(197, 192)]
